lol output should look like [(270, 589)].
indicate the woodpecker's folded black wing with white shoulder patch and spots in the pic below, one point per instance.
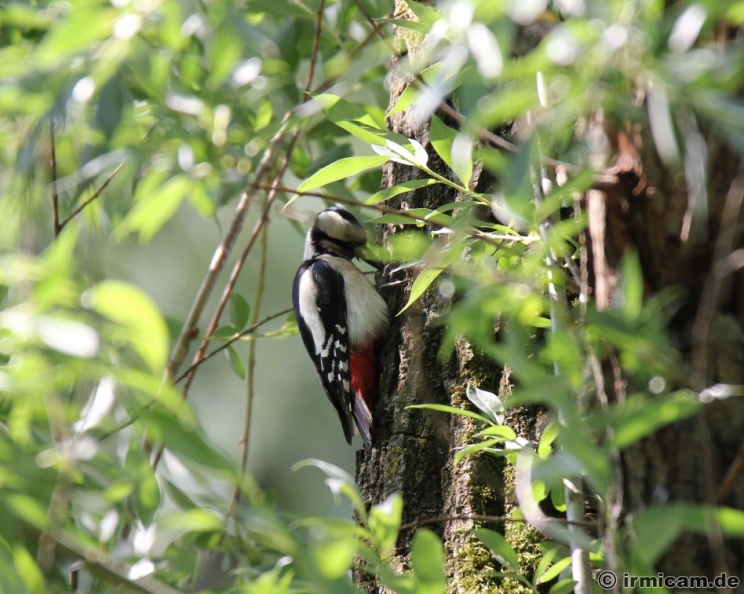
[(320, 308)]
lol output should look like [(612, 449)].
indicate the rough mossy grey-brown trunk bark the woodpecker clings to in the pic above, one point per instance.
[(413, 449)]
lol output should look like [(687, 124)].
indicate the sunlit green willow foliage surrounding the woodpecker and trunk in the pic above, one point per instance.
[(116, 114)]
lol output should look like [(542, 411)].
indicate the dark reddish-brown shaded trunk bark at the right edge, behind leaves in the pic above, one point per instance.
[(689, 461)]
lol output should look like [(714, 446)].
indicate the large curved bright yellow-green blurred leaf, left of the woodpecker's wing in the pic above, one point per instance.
[(141, 324)]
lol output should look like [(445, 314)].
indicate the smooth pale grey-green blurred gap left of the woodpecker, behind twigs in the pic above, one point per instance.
[(292, 417)]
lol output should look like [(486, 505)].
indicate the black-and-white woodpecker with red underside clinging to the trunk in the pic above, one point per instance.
[(341, 317)]
